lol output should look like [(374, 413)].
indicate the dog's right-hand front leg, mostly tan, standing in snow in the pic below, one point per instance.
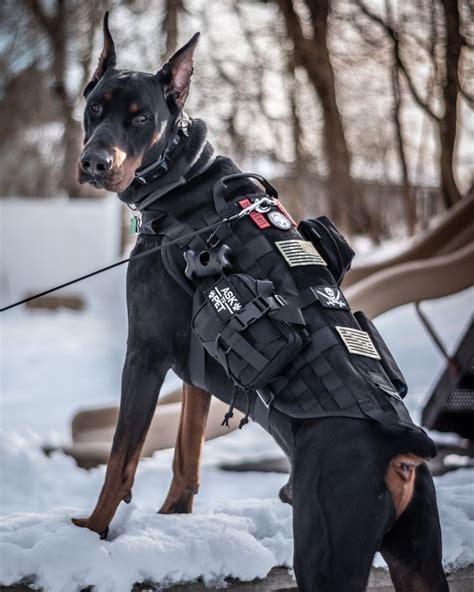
[(187, 453)]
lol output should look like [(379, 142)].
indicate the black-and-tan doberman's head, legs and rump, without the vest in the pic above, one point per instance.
[(356, 486)]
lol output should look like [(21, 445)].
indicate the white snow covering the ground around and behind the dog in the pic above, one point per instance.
[(53, 363)]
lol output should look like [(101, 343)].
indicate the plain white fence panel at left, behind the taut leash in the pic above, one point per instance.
[(44, 242)]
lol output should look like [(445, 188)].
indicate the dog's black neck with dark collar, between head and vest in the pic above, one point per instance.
[(190, 155)]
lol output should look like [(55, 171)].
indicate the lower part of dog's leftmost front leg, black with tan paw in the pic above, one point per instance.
[(140, 388)]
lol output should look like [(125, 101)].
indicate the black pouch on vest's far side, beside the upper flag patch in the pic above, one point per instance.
[(330, 243)]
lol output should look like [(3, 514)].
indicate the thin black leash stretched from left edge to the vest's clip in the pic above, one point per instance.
[(259, 202)]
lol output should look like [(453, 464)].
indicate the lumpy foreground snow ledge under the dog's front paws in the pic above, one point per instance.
[(144, 546)]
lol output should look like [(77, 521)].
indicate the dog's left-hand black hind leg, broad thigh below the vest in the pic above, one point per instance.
[(341, 508)]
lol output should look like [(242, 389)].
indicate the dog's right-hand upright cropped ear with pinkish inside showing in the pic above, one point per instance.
[(175, 75)]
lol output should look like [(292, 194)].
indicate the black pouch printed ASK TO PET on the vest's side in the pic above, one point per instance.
[(251, 331)]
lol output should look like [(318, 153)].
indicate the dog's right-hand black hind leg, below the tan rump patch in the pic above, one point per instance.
[(412, 547)]
